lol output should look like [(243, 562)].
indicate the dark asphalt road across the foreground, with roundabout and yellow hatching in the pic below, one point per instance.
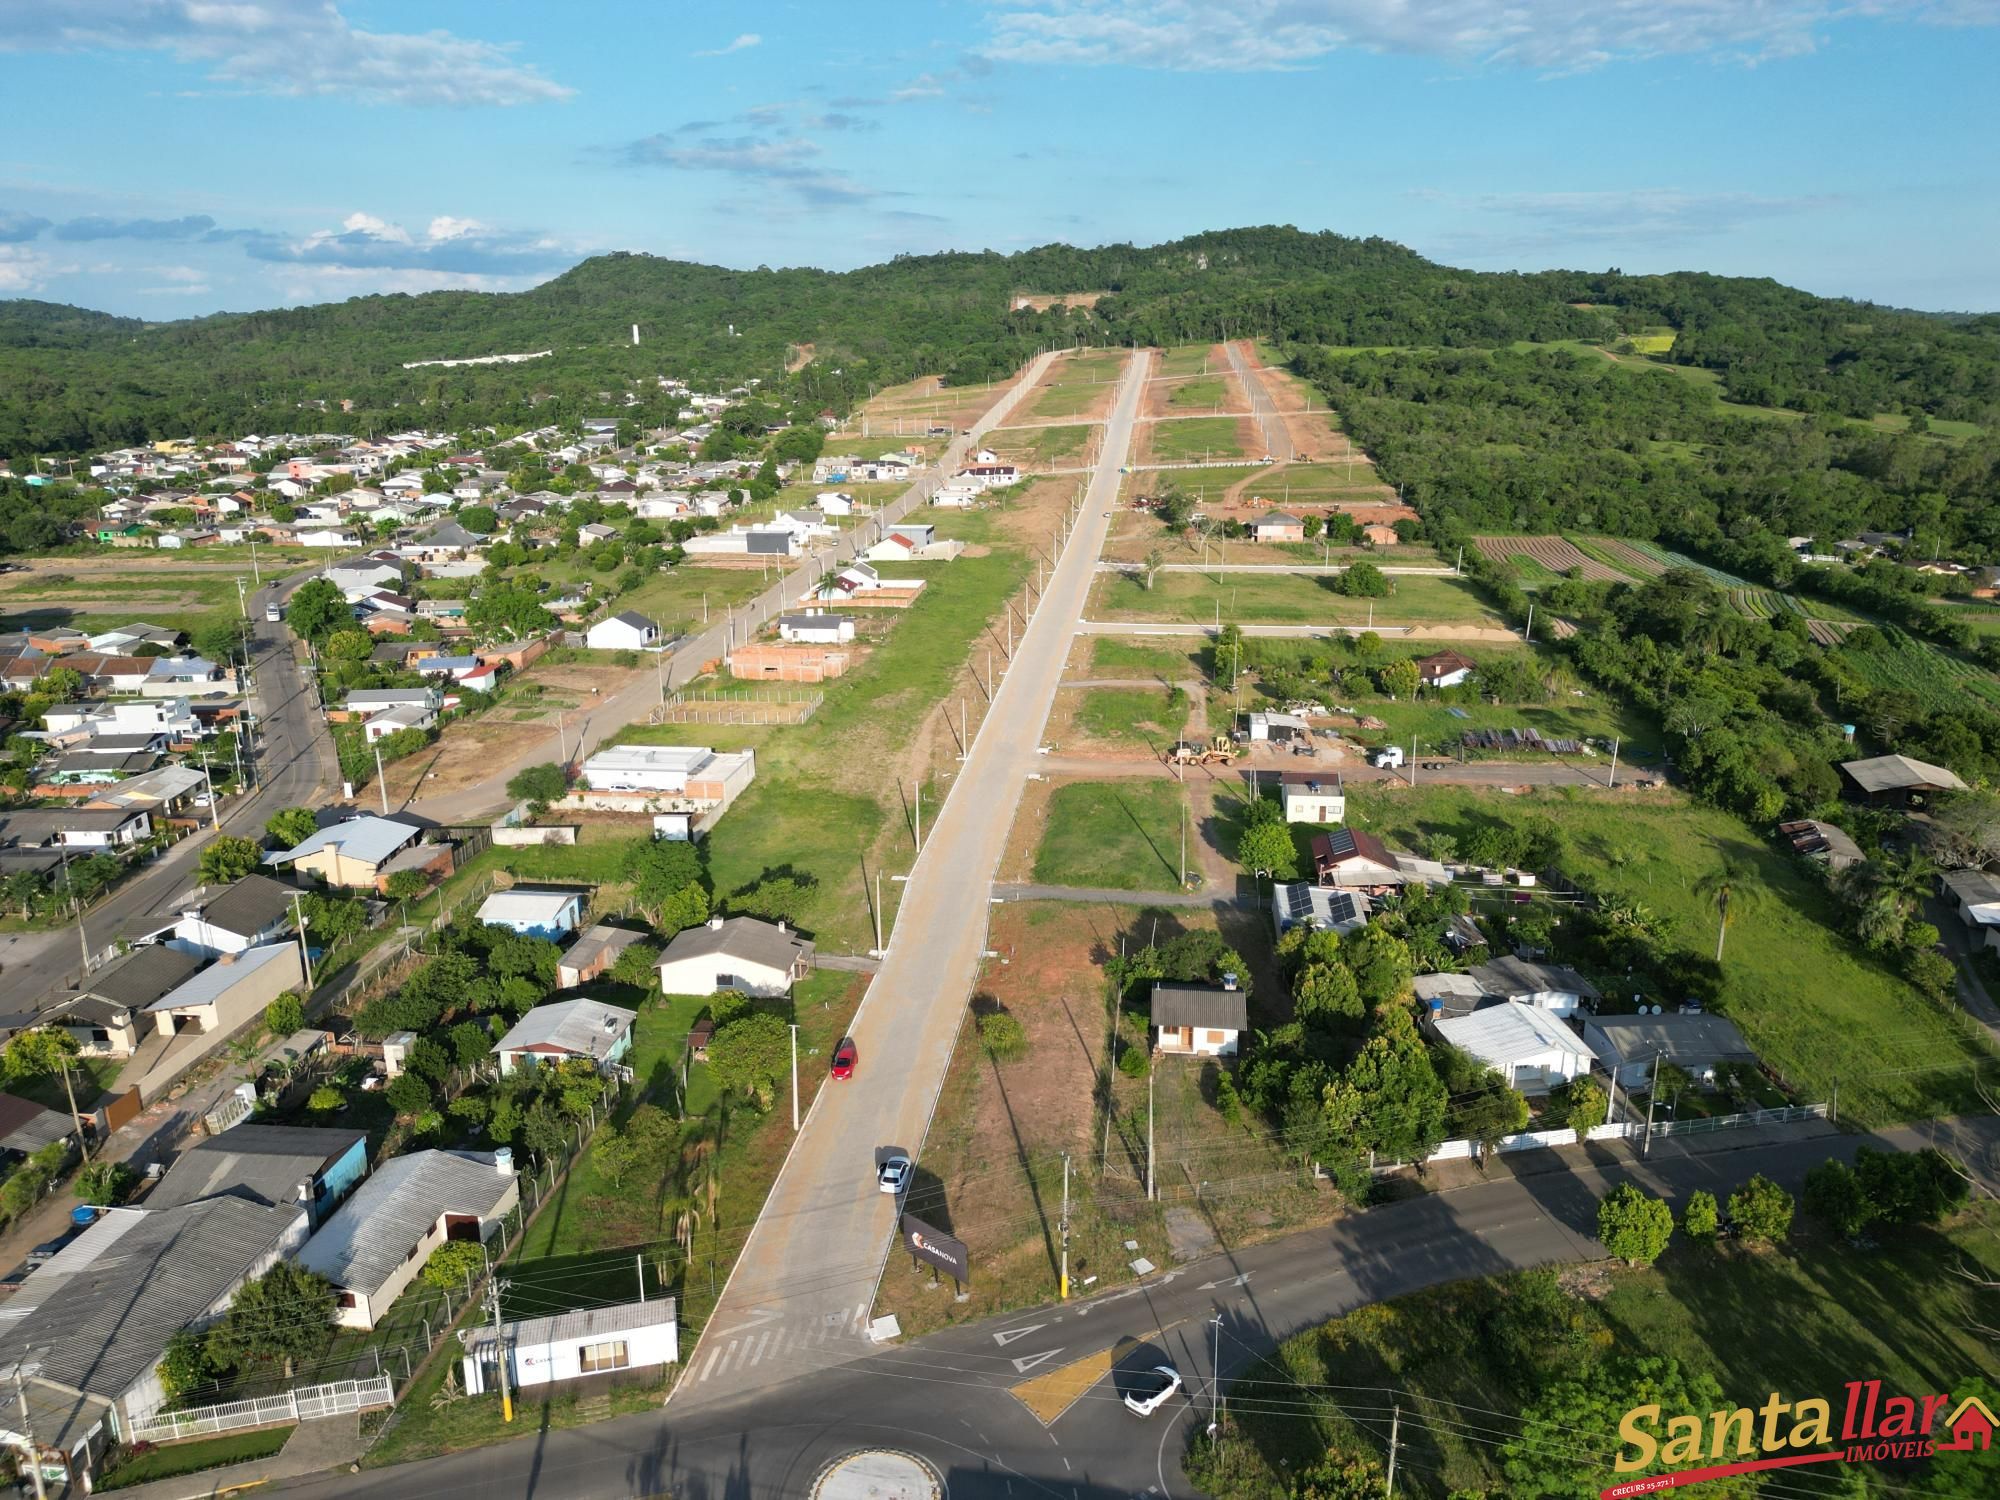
[(947, 1397)]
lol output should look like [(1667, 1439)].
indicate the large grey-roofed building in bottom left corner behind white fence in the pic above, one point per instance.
[(89, 1327)]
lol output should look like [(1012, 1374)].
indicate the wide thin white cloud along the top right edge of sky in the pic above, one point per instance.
[(1545, 35)]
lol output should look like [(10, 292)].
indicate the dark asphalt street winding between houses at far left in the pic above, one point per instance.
[(295, 763)]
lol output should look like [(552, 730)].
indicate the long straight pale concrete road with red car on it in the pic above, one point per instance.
[(815, 1255)]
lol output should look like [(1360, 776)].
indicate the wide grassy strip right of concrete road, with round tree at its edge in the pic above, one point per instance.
[(1285, 599)]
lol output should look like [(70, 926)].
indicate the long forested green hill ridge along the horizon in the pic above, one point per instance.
[(75, 381)]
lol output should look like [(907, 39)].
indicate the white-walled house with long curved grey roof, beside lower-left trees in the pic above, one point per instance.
[(381, 1237)]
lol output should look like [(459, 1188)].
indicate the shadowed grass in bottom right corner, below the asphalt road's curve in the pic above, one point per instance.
[(1801, 1325)]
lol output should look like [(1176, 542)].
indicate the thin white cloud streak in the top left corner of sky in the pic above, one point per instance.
[(285, 47)]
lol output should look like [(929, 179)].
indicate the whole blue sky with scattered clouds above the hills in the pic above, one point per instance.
[(181, 157)]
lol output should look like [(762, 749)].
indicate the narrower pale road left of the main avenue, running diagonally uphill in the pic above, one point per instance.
[(687, 661)]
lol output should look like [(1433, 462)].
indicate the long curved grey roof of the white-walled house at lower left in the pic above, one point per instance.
[(371, 1237)]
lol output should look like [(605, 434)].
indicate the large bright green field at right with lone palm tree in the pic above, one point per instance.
[(1807, 997)]
